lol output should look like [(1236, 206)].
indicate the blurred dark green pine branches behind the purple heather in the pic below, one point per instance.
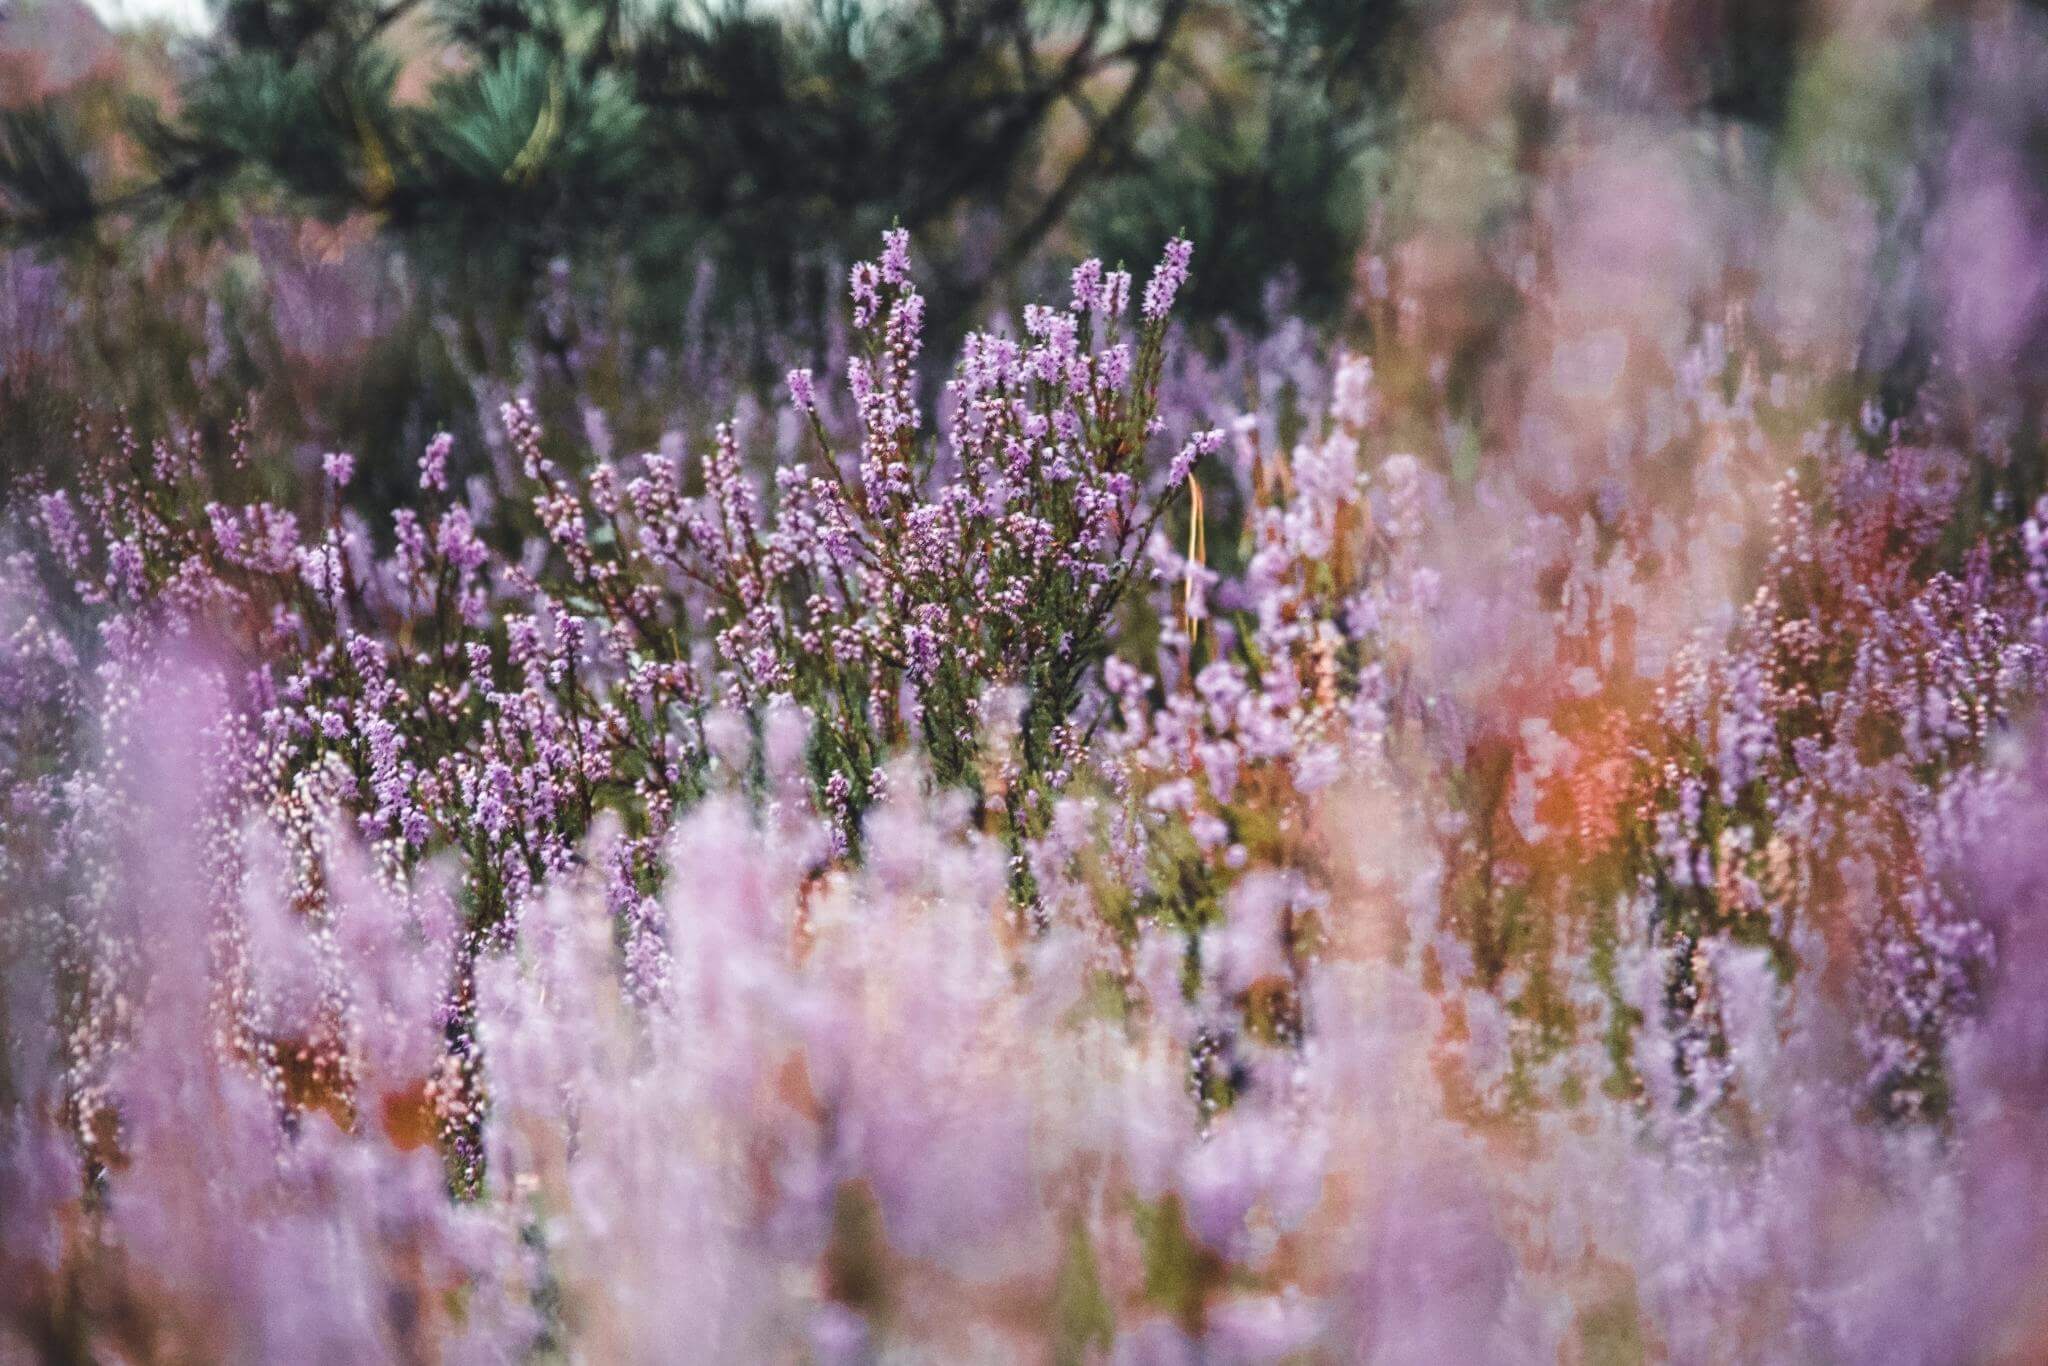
[(767, 140)]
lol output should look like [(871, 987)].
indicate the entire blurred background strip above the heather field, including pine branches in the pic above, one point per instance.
[(349, 220)]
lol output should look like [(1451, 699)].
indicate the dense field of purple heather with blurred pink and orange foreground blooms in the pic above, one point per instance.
[(1070, 871)]
